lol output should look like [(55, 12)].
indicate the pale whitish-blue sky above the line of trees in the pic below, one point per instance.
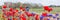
[(43, 2)]
